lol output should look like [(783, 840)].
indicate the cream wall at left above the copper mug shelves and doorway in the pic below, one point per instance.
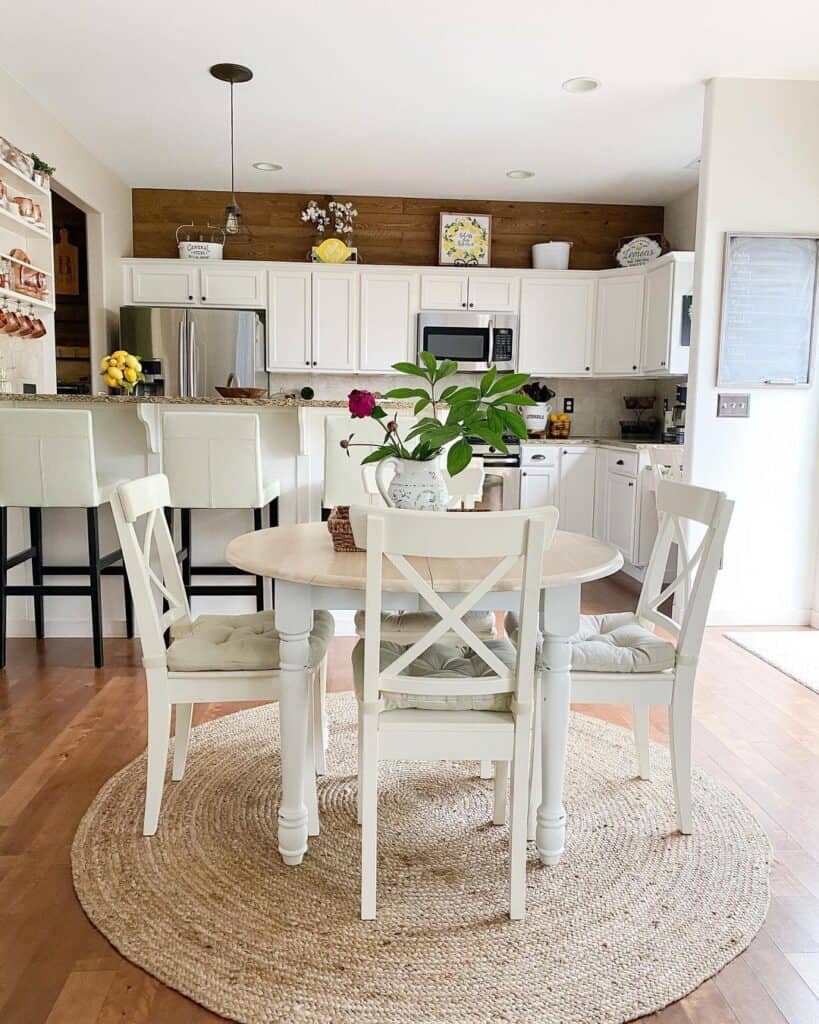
[(90, 184)]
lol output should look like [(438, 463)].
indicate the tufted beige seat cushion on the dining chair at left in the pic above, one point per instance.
[(239, 644)]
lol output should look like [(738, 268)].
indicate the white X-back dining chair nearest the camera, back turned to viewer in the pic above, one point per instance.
[(436, 699)]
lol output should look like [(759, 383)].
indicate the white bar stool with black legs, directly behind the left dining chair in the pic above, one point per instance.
[(214, 461)]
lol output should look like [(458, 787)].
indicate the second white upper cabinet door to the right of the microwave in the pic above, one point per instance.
[(620, 324)]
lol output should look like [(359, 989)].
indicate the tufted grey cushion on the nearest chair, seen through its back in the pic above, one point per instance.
[(451, 661)]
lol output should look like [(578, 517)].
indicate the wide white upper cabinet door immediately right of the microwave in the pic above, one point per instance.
[(557, 321)]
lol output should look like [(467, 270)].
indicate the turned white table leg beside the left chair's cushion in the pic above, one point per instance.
[(294, 618)]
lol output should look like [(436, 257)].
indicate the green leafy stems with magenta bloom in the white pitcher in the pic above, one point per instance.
[(455, 414)]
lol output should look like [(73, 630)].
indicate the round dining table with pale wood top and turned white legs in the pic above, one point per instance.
[(312, 575)]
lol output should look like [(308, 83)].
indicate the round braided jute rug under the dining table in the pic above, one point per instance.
[(634, 917)]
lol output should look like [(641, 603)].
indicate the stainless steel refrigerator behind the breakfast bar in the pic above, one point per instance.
[(197, 349)]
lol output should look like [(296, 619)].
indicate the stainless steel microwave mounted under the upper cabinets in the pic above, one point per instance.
[(476, 342)]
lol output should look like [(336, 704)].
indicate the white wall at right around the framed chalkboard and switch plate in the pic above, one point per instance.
[(760, 173)]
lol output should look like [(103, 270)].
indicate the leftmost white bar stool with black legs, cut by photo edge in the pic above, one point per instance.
[(48, 461)]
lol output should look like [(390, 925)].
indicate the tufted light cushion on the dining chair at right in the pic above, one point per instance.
[(615, 643)]
